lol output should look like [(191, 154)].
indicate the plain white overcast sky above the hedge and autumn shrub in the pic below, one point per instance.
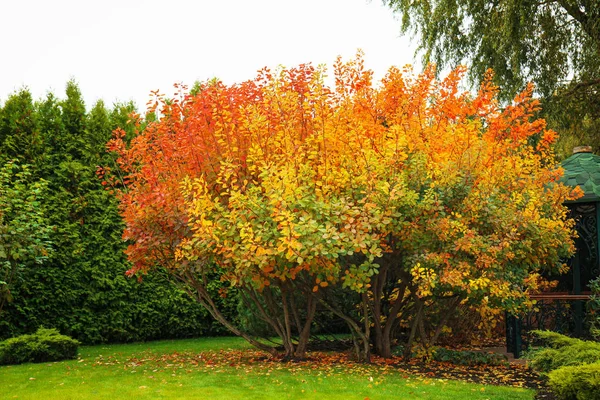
[(119, 50)]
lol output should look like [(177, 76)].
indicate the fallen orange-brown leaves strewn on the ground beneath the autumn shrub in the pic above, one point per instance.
[(323, 364)]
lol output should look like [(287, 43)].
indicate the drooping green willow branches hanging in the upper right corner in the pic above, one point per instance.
[(553, 44)]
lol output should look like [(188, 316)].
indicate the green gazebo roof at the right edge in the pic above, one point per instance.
[(583, 170)]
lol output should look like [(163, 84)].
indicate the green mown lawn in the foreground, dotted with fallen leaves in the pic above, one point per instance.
[(222, 368)]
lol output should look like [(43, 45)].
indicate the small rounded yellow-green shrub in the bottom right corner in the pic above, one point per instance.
[(581, 382)]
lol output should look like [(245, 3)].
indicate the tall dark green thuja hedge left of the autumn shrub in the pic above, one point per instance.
[(80, 288)]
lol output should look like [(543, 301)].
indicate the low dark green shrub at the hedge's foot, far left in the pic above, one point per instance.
[(44, 345)]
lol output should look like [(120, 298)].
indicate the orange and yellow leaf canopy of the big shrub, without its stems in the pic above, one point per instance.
[(286, 175)]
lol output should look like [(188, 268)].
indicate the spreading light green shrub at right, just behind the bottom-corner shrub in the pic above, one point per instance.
[(563, 351)]
